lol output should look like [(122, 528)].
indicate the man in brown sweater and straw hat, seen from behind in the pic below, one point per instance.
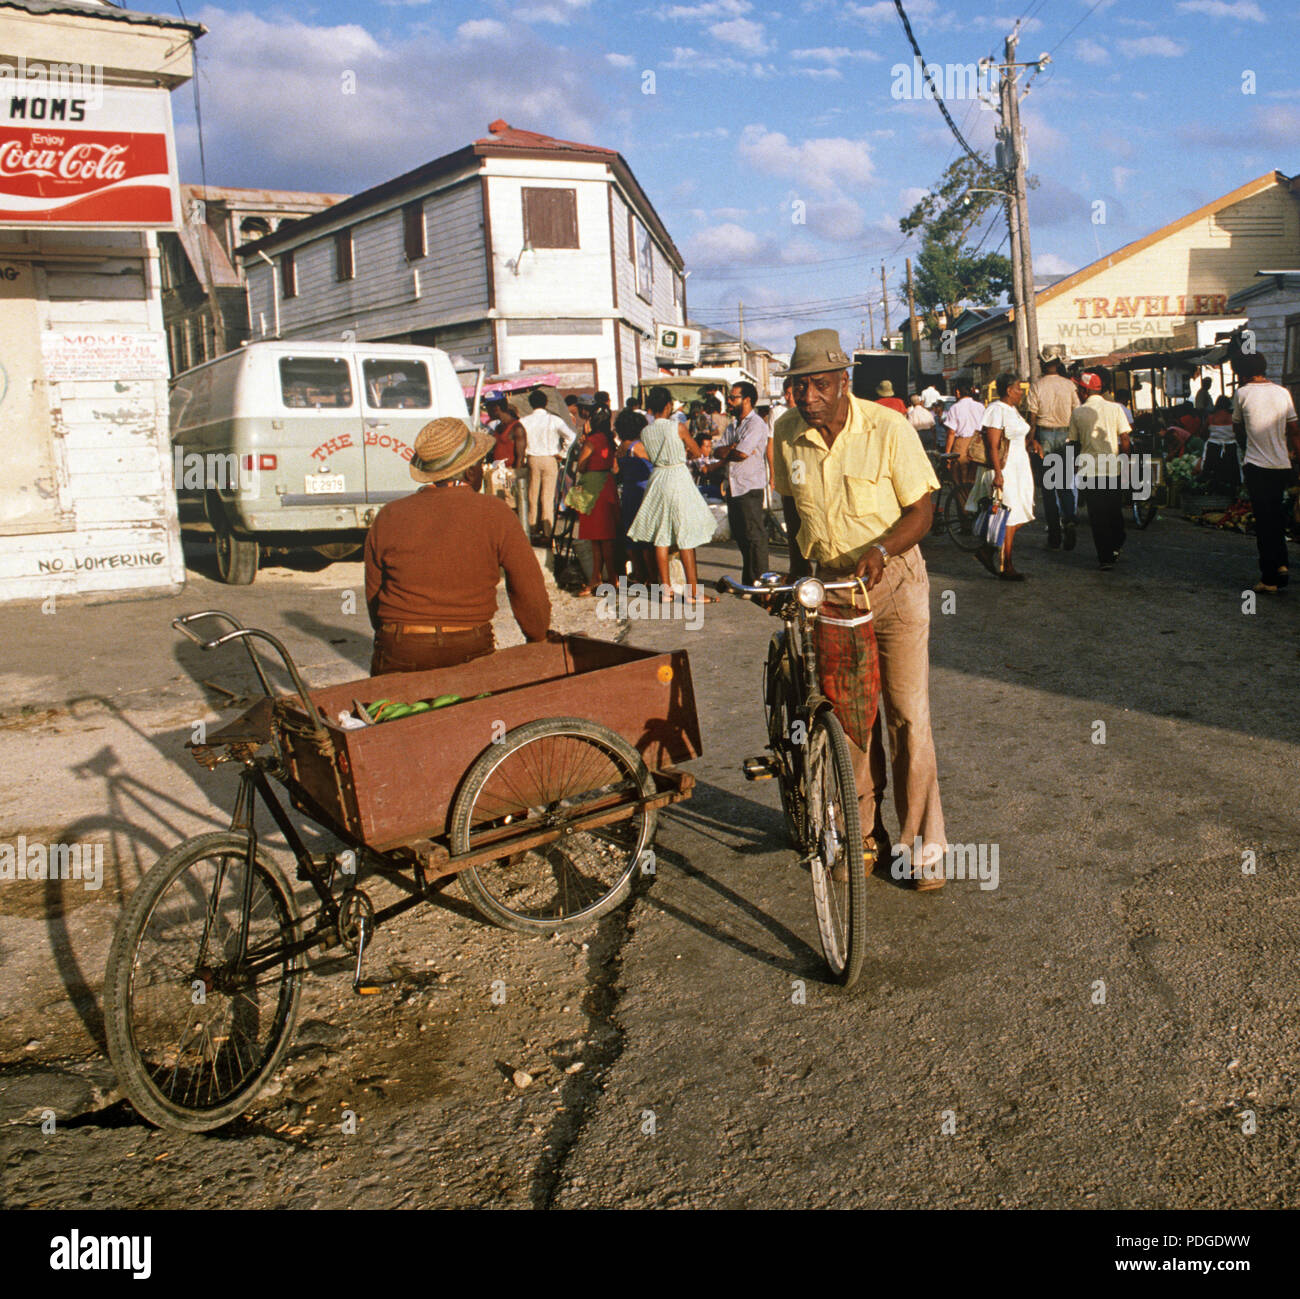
[(434, 561)]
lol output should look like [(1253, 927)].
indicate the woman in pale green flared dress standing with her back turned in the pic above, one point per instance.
[(673, 514)]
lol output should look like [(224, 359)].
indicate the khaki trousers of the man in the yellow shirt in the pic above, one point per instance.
[(900, 604)]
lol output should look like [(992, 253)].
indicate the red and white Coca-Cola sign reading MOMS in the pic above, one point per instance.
[(102, 158)]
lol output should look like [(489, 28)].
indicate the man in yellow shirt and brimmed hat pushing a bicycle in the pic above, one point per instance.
[(863, 484)]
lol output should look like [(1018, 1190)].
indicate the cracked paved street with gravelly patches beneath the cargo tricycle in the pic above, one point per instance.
[(1112, 1027)]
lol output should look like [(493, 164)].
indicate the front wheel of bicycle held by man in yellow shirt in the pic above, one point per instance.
[(835, 839)]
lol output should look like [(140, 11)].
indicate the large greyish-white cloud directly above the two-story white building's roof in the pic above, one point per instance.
[(263, 70)]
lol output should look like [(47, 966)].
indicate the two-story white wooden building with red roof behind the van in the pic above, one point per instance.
[(515, 253)]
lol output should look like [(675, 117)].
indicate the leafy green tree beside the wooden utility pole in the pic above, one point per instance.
[(948, 272)]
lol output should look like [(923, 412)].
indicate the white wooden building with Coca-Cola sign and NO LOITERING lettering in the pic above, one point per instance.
[(88, 179)]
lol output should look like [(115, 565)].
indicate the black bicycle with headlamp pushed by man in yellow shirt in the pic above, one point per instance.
[(808, 755)]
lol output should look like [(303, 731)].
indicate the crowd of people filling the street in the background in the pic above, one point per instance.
[(643, 496)]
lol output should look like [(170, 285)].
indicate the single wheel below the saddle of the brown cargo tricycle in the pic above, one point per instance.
[(196, 1023)]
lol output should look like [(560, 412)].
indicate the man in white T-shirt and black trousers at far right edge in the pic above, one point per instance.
[(1267, 415)]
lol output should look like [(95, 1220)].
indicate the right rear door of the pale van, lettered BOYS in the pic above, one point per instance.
[(397, 400)]
